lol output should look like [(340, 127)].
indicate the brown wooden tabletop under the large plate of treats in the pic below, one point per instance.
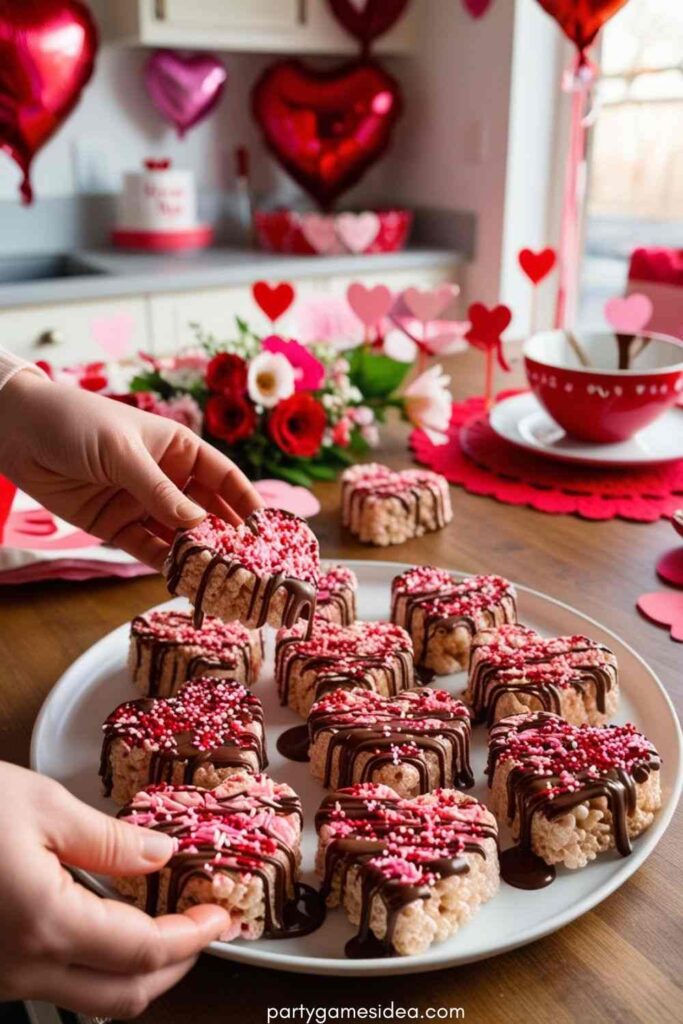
[(621, 963)]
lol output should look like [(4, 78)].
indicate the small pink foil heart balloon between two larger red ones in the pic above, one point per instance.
[(185, 89)]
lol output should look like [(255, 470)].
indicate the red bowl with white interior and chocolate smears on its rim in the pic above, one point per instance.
[(601, 403)]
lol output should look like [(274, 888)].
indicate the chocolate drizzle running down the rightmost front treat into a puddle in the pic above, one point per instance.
[(532, 791)]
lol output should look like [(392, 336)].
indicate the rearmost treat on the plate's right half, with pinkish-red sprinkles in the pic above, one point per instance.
[(444, 613)]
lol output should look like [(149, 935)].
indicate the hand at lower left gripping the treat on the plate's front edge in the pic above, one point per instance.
[(62, 943)]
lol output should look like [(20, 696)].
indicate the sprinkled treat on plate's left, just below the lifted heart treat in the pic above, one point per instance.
[(166, 651)]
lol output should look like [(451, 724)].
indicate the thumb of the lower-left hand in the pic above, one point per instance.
[(82, 837)]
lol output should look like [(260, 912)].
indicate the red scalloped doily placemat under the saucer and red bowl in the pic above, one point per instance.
[(477, 459)]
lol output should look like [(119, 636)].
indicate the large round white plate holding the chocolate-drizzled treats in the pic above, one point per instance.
[(67, 744)]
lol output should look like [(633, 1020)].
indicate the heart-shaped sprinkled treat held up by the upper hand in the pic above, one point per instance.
[(265, 571)]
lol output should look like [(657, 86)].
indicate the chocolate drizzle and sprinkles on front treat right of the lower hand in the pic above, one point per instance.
[(374, 825)]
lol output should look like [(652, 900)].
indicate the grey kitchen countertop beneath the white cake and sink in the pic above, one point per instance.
[(119, 274)]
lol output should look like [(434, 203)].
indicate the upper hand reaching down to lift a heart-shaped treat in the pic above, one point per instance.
[(113, 471)]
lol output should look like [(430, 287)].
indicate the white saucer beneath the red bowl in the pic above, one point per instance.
[(523, 421)]
